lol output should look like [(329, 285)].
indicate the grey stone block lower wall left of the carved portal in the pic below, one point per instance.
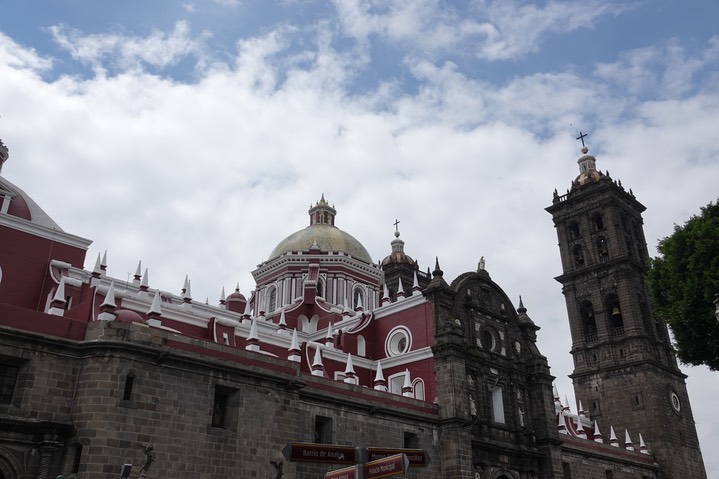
[(269, 403)]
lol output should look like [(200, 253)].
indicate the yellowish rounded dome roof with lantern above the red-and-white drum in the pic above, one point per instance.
[(322, 233)]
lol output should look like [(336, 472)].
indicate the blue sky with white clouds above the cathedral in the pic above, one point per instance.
[(193, 136)]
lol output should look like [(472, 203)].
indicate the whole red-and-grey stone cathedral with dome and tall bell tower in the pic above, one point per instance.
[(334, 362)]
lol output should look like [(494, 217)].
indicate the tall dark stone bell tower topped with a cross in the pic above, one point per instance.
[(625, 372)]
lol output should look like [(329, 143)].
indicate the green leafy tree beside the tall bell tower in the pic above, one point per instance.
[(683, 283)]
